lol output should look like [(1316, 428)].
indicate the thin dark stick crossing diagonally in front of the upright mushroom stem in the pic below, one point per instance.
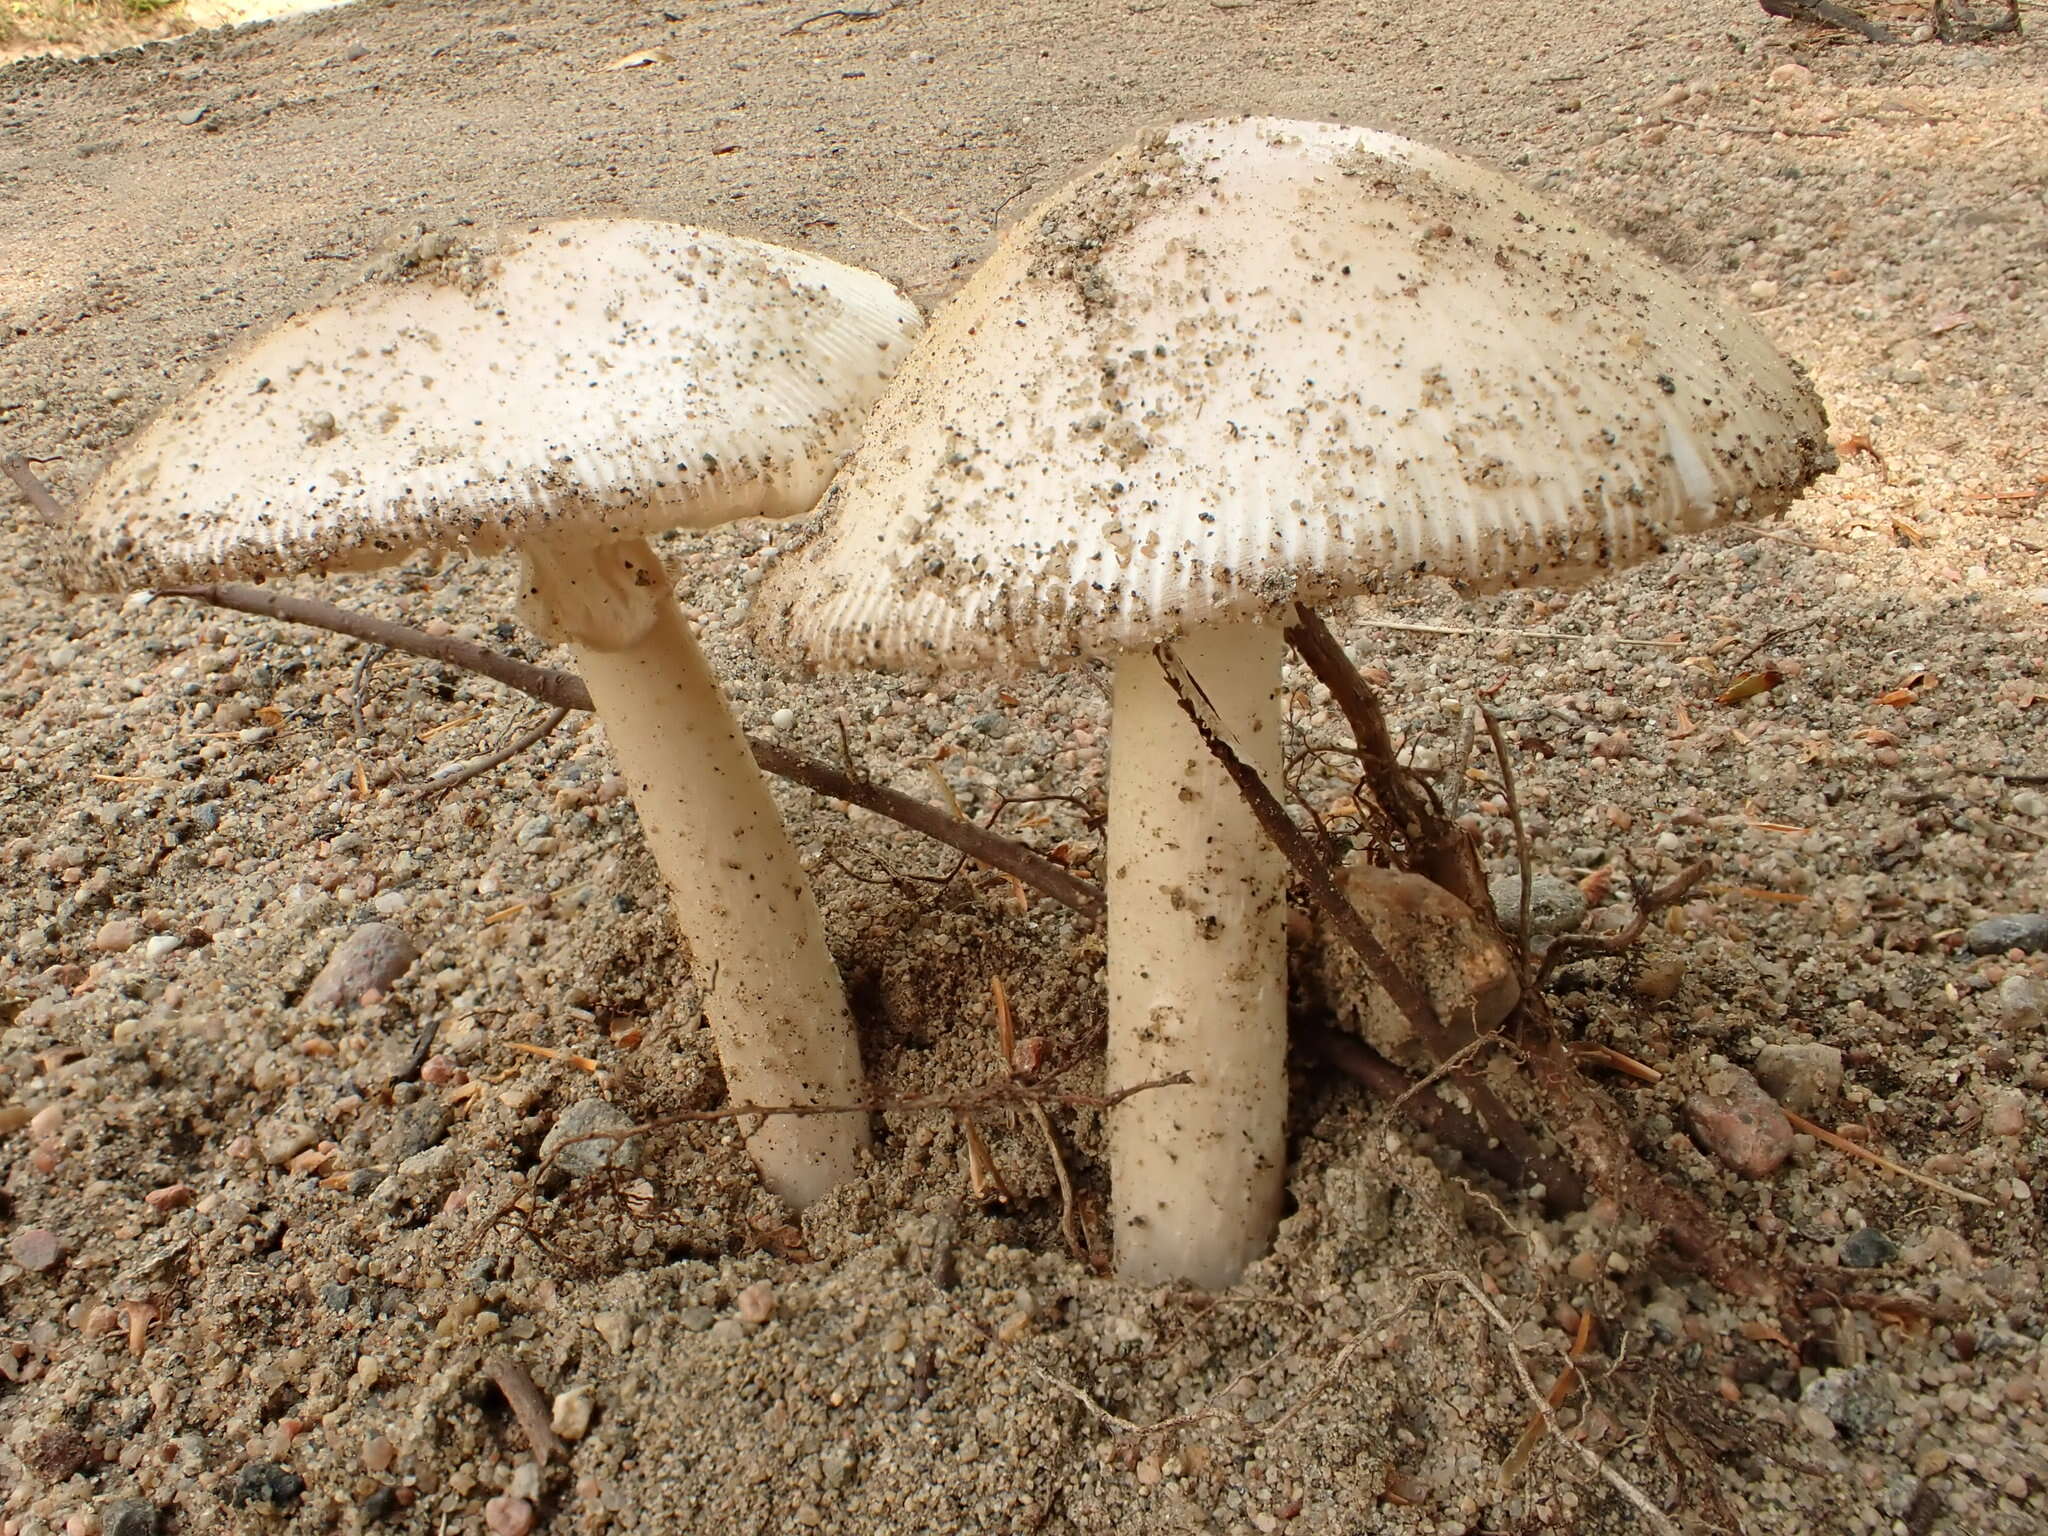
[(1320, 880)]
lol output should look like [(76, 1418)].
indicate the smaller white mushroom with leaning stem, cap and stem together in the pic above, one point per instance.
[(568, 390)]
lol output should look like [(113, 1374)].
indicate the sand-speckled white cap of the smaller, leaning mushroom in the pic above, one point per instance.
[(620, 376)]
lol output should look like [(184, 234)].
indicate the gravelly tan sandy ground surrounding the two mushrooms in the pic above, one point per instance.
[(253, 1283)]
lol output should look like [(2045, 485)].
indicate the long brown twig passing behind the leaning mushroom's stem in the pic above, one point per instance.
[(566, 691)]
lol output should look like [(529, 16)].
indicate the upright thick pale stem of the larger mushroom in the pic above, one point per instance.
[(1197, 968)]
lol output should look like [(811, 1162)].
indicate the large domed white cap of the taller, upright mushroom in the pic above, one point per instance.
[(1254, 361)]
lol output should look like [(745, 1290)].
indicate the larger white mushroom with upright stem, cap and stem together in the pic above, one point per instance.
[(1242, 366)]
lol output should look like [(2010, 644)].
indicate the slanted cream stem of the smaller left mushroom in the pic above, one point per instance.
[(759, 947)]
